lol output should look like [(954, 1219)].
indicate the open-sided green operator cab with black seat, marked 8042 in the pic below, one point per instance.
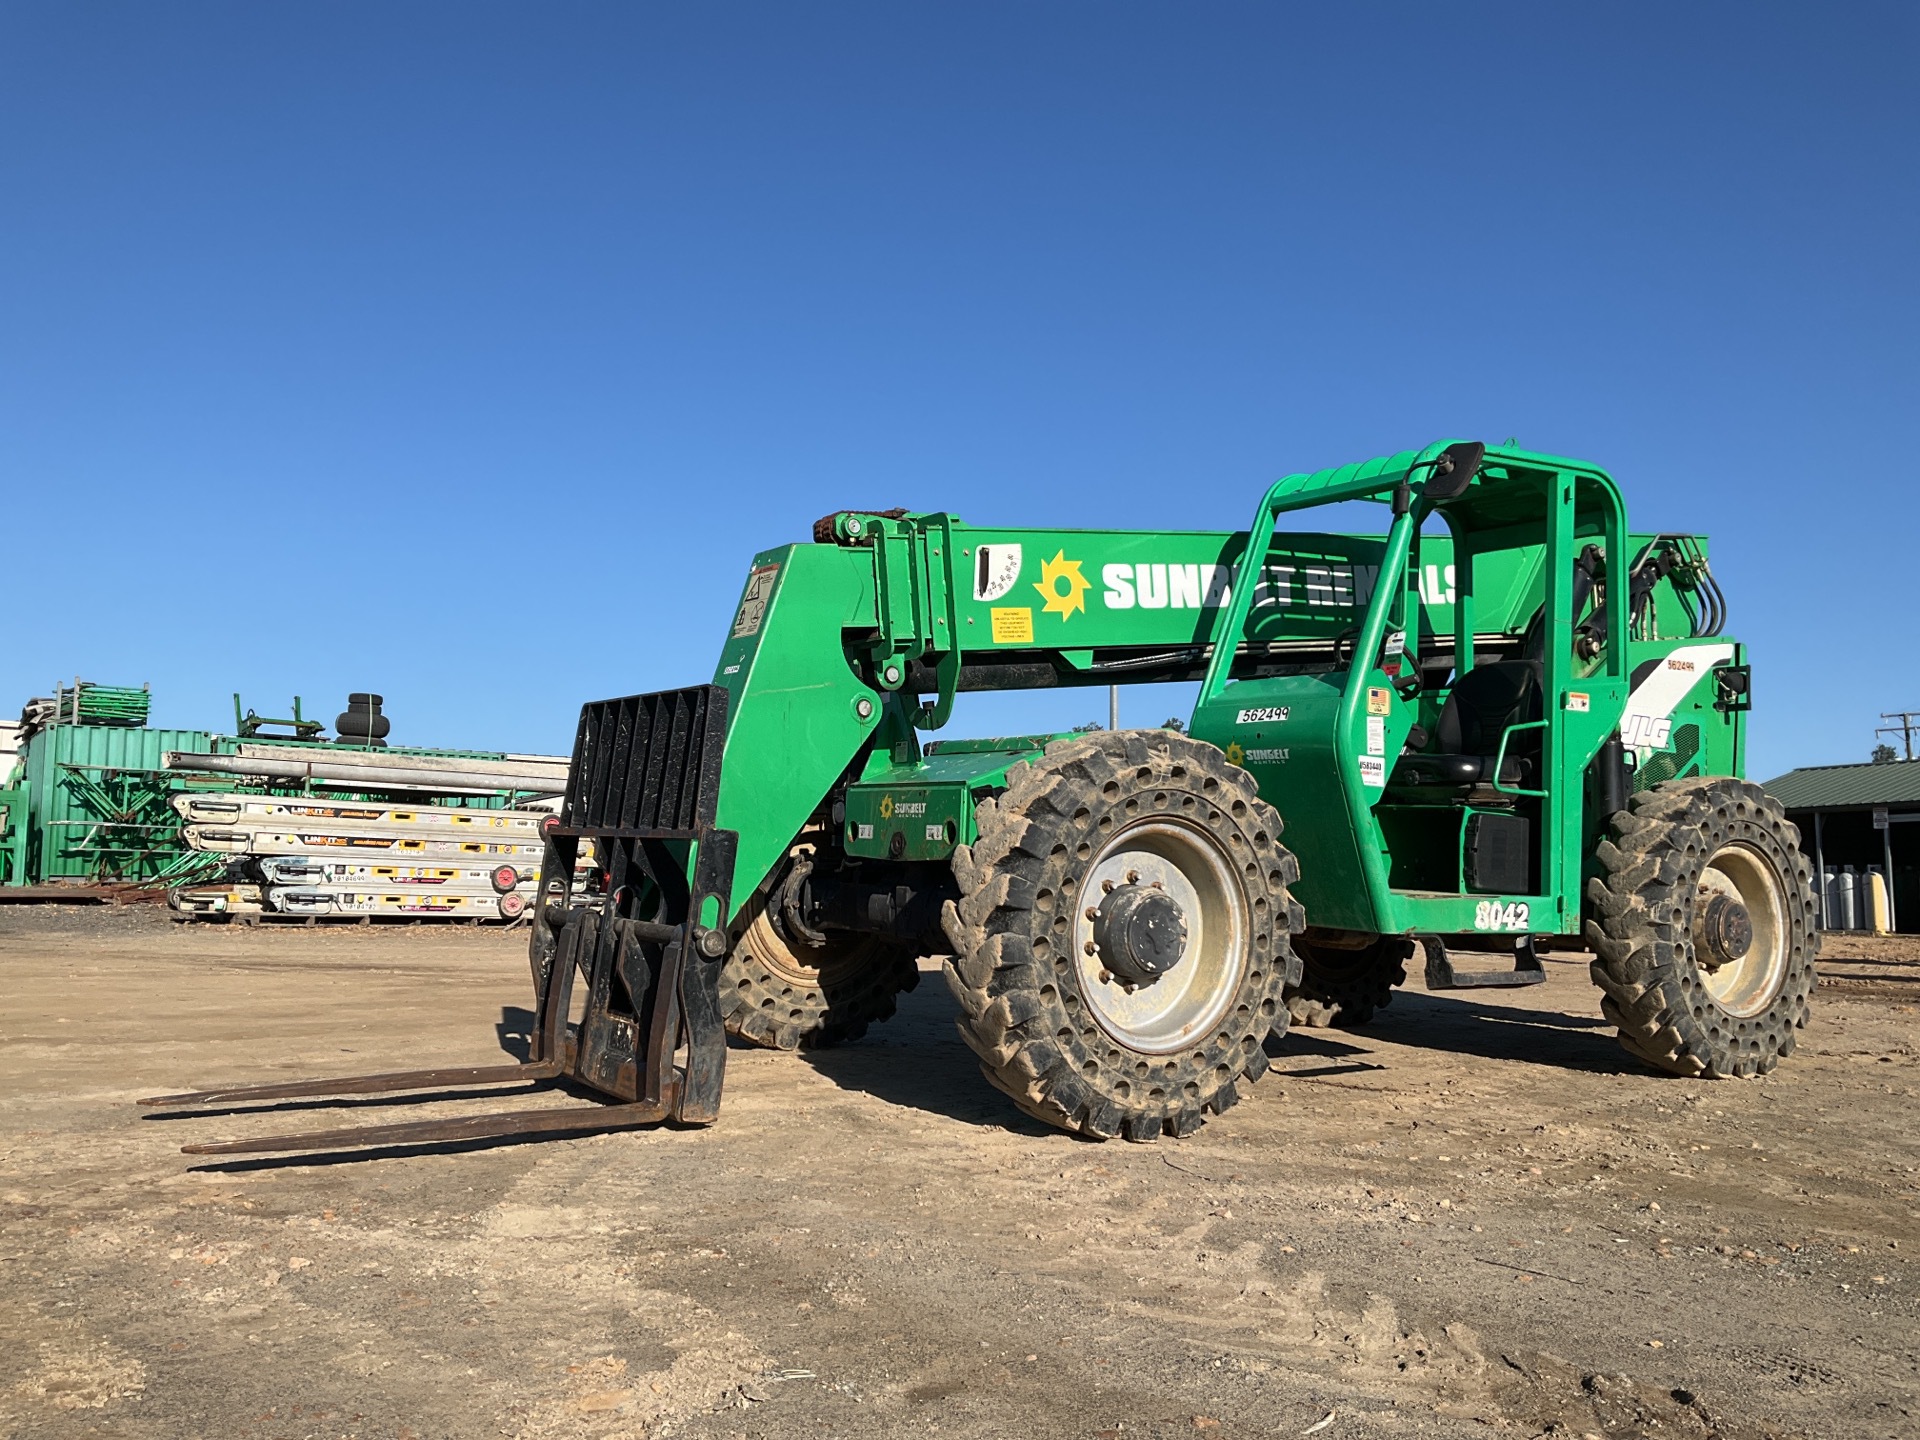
[(1435, 777)]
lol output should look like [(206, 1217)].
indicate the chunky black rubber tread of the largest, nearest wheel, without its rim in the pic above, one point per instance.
[(1020, 988)]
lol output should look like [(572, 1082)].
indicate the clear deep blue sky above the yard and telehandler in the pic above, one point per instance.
[(468, 352)]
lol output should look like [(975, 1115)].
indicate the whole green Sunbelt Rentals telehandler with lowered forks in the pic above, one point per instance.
[(1506, 721)]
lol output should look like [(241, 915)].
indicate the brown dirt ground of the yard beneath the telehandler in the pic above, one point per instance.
[(1474, 1218)]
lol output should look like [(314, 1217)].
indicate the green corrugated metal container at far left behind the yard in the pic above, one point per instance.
[(103, 805)]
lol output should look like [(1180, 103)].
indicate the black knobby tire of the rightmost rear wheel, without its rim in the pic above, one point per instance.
[(1641, 928)]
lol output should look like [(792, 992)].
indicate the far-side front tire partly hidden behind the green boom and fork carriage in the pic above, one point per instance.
[(782, 994)]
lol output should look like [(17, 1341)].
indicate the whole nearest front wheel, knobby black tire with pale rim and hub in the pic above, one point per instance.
[(1122, 944)]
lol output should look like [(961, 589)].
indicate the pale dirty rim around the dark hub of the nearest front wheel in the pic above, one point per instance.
[(1189, 999)]
